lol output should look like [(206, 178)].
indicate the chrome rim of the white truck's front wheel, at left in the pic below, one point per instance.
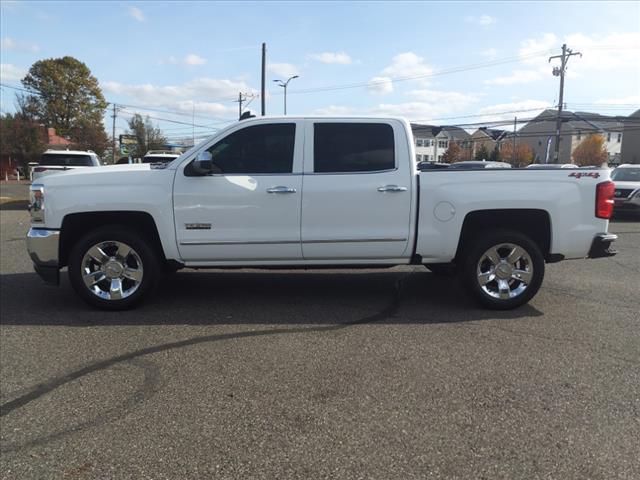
[(112, 270)]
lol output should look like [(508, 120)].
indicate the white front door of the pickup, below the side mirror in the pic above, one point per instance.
[(241, 216)]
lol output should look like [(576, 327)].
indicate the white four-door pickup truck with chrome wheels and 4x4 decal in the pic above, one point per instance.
[(300, 192)]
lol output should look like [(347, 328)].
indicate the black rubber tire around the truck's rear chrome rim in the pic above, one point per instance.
[(475, 261)]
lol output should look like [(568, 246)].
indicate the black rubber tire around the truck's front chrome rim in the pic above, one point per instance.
[(145, 254)]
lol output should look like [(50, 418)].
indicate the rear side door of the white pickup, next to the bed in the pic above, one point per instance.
[(356, 215)]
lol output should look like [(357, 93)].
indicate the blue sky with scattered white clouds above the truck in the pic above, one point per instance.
[(441, 63)]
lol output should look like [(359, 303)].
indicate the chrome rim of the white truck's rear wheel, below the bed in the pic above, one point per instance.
[(505, 271)]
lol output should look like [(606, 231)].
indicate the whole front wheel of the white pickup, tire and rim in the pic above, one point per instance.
[(113, 268)]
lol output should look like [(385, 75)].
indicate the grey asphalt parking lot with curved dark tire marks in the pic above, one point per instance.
[(322, 374)]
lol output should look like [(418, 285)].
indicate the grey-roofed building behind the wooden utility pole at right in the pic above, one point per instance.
[(540, 134)]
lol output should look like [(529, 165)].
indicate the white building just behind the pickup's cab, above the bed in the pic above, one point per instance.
[(431, 142)]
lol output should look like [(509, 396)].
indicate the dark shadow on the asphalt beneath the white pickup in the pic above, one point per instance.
[(258, 297)]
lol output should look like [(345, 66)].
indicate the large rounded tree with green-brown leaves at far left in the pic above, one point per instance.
[(67, 97)]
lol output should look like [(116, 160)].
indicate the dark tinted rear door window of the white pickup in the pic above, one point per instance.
[(343, 147)]
